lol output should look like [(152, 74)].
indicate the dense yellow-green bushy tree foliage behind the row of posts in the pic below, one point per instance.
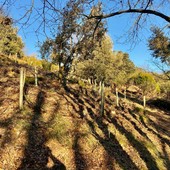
[(106, 65)]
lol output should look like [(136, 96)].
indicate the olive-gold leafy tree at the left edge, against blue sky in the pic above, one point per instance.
[(10, 42)]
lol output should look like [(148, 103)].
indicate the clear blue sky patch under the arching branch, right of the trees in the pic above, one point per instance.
[(139, 53)]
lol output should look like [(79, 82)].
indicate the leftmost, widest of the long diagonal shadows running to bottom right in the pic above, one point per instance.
[(109, 142)]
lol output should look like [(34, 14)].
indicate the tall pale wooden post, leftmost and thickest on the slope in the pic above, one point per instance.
[(22, 82)]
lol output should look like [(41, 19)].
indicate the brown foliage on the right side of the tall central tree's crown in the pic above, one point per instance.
[(91, 34)]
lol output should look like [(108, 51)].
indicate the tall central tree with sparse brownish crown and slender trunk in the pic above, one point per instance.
[(75, 38)]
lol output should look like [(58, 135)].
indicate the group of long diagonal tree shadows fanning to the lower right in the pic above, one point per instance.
[(109, 141)]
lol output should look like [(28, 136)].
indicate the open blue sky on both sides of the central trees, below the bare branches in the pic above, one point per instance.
[(117, 28)]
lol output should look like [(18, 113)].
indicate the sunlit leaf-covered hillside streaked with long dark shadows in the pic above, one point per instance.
[(60, 129)]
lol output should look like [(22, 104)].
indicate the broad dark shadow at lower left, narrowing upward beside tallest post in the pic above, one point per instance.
[(36, 154)]
